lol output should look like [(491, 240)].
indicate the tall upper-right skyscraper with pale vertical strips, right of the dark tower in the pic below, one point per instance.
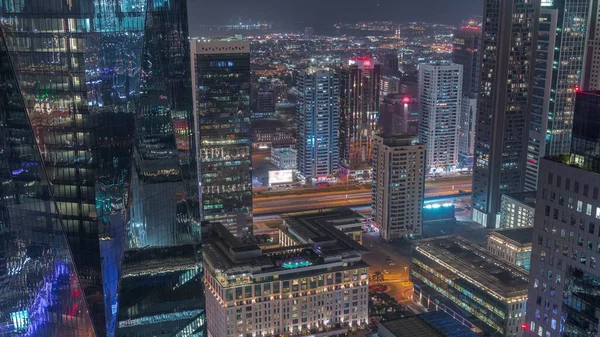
[(557, 76)]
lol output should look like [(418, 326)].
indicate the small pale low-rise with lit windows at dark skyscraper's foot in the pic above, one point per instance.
[(517, 210)]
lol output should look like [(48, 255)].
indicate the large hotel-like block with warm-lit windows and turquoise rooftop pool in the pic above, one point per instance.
[(314, 283)]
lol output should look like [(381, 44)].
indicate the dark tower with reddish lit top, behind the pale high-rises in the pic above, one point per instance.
[(466, 51)]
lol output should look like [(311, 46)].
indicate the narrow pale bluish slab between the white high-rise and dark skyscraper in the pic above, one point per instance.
[(466, 131)]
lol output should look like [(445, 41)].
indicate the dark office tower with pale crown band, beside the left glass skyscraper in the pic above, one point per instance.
[(221, 82)]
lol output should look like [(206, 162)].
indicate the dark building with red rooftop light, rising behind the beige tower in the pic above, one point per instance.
[(399, 114)]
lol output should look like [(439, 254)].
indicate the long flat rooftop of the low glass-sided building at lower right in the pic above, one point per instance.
[(475, 265)]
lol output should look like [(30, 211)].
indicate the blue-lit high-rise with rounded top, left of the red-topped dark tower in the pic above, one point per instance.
[(318, 116)]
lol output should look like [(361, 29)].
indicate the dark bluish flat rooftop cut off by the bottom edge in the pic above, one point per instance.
[(431, 324)]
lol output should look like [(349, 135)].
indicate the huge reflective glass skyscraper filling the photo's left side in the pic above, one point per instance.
[(92, 89)]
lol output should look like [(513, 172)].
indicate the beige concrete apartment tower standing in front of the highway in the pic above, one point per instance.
[(398, 185)]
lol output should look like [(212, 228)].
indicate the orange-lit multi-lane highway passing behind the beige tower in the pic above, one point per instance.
[(293, 203)]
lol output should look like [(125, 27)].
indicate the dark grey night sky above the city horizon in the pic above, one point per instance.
[(325, 12)]
